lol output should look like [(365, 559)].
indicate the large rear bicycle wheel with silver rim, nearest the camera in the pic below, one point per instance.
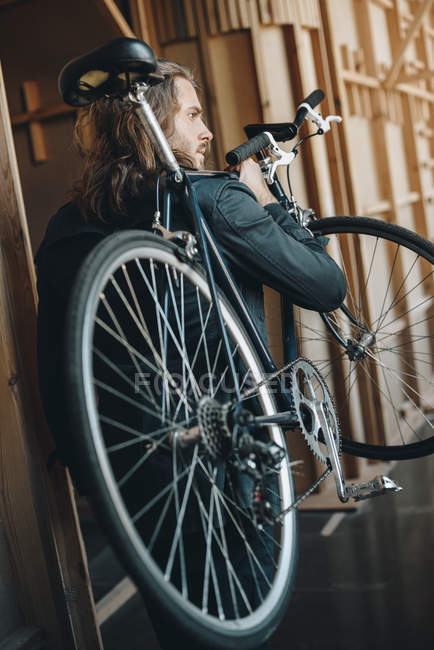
[(143, 357)]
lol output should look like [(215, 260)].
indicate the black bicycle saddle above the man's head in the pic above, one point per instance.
[(109, 69)]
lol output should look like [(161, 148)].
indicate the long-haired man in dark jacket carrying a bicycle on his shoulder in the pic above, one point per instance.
[(116, 190)]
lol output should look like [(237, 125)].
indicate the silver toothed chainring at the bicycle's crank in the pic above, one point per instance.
[(307, 388)]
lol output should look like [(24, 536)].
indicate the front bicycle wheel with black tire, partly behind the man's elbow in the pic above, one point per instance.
[(382, 369)]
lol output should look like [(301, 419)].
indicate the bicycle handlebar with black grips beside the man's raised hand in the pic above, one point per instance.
[(288, 132)]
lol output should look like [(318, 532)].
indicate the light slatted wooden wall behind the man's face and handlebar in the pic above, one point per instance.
[(374, 58)]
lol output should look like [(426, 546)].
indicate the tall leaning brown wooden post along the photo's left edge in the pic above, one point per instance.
[(31, 526)]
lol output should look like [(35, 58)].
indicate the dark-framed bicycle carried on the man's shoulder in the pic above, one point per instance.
[(171, 457)]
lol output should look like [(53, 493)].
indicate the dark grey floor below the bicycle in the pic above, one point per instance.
[(365, 579)]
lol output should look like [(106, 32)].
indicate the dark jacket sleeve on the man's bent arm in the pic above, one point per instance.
[(269, 245)]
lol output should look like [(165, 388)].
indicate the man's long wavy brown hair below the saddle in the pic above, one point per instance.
[(119, 160)]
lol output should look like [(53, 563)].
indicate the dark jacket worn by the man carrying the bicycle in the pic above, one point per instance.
[(262, 245)]
